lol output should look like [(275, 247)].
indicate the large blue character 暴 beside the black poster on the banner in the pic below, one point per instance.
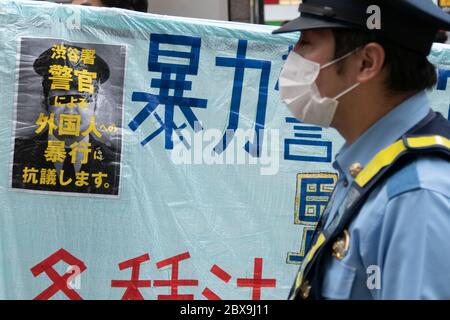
[(166, 83)]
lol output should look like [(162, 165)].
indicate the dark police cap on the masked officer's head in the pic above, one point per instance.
[(412, 24)]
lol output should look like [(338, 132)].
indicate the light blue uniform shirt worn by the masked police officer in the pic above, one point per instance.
[(400, 240)]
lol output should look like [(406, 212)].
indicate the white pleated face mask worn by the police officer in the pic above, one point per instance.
[(300, 93)]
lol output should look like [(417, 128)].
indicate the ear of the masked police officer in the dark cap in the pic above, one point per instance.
[(371, 60)]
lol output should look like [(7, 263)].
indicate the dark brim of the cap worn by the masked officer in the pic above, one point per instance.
[(308, 22)]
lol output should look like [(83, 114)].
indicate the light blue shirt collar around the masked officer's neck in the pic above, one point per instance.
[(383, 133)]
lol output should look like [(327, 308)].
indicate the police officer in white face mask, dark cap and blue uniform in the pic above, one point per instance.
[(361, 67)]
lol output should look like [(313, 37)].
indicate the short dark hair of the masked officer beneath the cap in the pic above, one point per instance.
[(408, 70)]
